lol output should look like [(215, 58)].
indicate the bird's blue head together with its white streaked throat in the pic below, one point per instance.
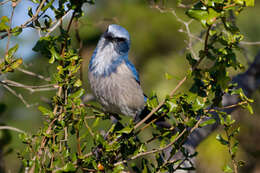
[(112, 49)]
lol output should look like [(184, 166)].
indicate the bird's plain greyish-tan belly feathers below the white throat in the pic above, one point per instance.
[(118, 92)]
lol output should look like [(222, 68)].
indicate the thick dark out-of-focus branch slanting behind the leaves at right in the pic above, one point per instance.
[(249, 82)]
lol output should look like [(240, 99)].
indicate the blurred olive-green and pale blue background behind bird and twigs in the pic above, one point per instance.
[(157, 48)]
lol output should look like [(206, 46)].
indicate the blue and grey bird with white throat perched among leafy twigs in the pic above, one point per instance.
[(113, 79)]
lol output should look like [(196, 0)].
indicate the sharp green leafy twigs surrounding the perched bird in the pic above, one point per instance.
[(68, 118)]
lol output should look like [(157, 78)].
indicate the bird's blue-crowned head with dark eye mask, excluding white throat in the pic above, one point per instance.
[(116, 37)]
